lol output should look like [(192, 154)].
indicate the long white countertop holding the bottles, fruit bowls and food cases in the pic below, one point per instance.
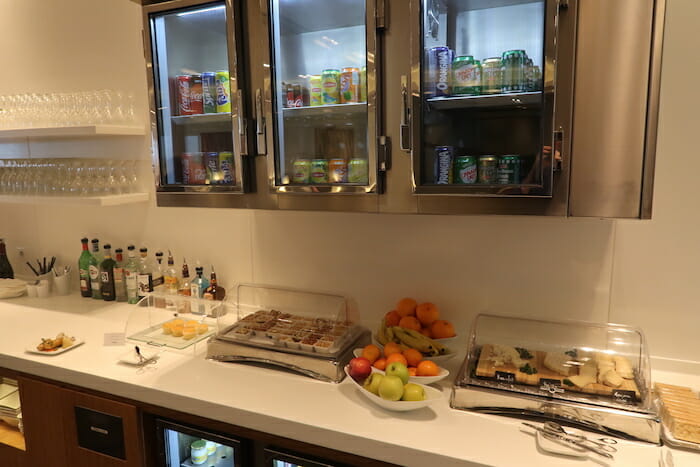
[(281, 403)]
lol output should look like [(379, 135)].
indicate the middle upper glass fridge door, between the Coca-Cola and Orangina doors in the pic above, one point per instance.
[(323, 96)]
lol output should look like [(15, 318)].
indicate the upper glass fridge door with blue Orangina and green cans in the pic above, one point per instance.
[(486, 87)]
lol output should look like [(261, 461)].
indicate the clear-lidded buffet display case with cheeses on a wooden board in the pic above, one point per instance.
[(595, 376)]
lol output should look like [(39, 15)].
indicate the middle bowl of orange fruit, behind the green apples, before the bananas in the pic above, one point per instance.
[(420, 369)]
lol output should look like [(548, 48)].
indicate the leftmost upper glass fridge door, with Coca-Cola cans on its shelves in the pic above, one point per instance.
[(196, 97)]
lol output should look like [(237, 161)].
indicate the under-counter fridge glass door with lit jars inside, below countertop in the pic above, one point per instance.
[(183, 446)]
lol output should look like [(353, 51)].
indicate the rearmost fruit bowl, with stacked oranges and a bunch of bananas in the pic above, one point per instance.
[(418, 326)]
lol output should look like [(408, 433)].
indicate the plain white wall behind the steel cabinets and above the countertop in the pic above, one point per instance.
[(555, 268)]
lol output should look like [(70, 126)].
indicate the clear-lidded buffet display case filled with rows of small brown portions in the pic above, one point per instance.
[(302, 331)]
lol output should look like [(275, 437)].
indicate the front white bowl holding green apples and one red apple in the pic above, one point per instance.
[(392, 390)]
